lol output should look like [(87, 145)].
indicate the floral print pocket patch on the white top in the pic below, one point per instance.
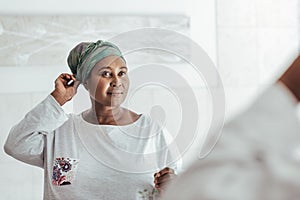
[(64, 170)]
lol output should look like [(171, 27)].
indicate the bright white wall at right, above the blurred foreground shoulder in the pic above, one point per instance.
[(257, 40)]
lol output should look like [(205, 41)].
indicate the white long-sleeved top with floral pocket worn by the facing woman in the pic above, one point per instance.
[(87, 161)]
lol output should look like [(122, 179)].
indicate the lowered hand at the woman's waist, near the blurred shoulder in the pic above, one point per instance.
[(163, 178)]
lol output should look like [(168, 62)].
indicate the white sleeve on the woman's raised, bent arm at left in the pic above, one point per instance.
[(25, 141)]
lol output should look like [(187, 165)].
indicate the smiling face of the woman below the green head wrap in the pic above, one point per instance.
[(108, 82)]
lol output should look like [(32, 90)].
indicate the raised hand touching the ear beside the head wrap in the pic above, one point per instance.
[(64, 92)]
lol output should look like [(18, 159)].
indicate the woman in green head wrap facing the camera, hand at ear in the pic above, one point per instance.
[(107, 151)]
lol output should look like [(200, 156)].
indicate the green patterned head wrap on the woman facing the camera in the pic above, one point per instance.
[(84, 57)]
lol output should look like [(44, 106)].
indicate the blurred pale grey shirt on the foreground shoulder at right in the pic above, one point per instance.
[(257, 156)]
